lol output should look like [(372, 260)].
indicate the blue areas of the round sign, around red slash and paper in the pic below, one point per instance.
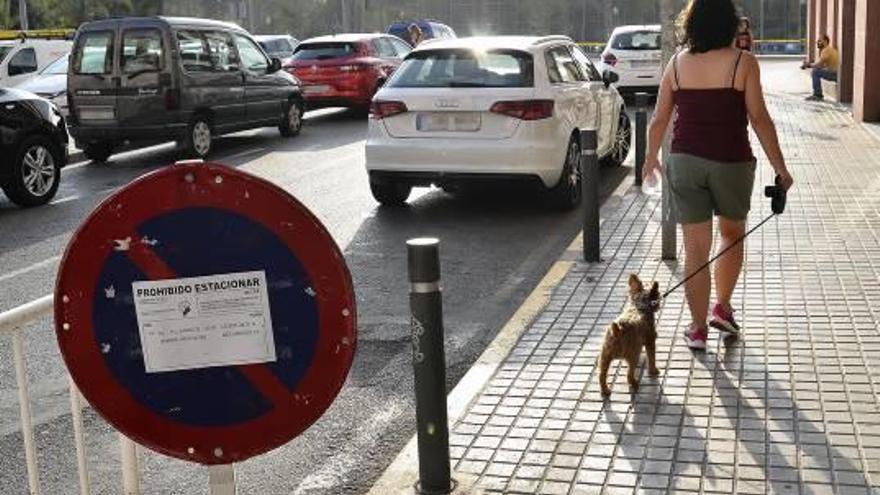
[(196, 242)]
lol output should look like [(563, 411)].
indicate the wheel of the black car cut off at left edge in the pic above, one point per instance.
[(36, 172)]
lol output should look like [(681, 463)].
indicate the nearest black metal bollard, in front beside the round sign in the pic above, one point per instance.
[(429, 365)]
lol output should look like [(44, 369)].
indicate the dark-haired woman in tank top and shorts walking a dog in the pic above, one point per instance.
[(715, 90)]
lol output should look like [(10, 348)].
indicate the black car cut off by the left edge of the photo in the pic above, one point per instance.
[(33, 146)]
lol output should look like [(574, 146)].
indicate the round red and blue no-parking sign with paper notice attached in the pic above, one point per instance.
[(205, 313)]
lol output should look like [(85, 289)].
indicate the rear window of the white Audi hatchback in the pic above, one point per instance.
[(466, 69)]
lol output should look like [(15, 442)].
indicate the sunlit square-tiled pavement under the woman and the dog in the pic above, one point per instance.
[(792, 407)]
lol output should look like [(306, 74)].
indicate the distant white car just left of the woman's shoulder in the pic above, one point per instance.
[(634, 53)]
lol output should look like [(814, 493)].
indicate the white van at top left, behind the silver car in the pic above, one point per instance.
[(22, 59)]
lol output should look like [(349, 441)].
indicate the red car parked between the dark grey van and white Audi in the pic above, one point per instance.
[(345, 70)]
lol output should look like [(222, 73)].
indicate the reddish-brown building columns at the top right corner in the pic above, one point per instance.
[(847, 23)]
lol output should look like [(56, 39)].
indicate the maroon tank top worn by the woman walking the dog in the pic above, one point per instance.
[(711, 123)]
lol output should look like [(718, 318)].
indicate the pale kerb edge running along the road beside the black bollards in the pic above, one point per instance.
[(401, 475)]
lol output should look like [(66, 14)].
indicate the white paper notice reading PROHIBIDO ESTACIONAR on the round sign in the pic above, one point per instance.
[(200, 322)]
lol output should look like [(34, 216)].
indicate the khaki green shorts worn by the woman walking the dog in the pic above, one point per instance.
[(701, 187)]
